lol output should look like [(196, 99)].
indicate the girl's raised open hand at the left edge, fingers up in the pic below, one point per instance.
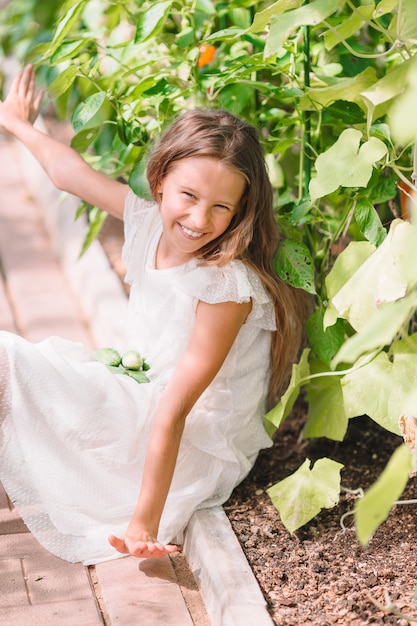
[(22, 102)]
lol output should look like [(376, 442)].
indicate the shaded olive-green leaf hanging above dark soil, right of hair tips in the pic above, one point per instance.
[(326, 415)]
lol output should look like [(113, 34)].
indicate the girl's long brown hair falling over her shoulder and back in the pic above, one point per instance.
[(253, 234)]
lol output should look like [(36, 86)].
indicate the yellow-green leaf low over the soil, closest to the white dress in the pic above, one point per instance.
[(301, 496)]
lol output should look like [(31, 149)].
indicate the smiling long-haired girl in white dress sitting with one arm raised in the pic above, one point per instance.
[(98, 465)]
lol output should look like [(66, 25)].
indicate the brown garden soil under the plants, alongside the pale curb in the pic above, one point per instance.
[(321, 575)]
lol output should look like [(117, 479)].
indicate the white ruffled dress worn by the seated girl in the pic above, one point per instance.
[(73, 435)]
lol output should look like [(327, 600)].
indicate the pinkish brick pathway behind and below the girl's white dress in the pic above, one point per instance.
[(36, 588)]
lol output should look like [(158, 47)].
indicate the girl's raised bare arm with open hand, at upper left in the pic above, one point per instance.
[(64, 166)]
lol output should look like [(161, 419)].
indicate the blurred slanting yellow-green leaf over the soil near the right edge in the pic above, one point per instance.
[(373, 509)]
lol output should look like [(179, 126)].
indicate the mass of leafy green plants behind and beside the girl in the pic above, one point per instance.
[(331, 86)]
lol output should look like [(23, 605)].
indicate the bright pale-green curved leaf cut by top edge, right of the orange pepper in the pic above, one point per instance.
[(282, 26)]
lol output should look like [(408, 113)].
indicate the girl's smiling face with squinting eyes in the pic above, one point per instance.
[(199, 197)]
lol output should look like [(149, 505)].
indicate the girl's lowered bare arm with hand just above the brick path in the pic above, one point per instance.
[(215, 330)]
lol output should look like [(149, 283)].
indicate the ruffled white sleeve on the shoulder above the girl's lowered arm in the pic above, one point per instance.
[(234, 282)]
